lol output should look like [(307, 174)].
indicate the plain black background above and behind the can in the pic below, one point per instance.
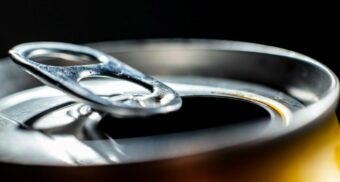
[(308, 28)]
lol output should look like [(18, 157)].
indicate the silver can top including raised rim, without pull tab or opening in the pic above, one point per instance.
[(298, 92)]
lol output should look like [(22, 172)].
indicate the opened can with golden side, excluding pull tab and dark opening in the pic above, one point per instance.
[(44, 127)]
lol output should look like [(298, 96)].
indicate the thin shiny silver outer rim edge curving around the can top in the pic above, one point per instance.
[(313, 115)]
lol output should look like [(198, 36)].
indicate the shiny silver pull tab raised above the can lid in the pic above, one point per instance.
[(162, 98)]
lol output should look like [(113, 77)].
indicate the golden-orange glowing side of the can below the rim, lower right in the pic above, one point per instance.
[(310, 157)]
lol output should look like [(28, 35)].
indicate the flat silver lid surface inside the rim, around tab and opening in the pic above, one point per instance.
[(64, 126)]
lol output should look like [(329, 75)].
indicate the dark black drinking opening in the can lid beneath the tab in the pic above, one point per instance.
[(196, 113)]
